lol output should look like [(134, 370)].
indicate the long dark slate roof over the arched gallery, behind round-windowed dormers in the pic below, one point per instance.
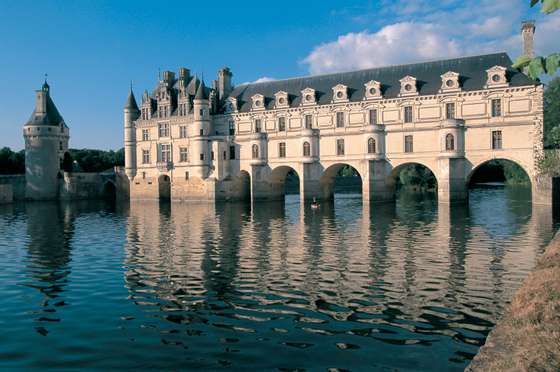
[(472, 76)]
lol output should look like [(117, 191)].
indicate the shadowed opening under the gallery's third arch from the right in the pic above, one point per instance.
[(340, 178)]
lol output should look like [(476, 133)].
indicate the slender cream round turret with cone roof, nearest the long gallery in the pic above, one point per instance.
[(200, 130)]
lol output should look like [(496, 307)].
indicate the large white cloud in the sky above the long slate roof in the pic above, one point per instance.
[(426, 30)]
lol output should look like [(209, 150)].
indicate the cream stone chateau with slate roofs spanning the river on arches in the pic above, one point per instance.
[(188, 141)]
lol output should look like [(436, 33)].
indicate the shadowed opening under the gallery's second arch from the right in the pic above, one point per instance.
[(414, 177)]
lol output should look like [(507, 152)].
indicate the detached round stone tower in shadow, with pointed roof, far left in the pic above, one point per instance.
[(46, 139)]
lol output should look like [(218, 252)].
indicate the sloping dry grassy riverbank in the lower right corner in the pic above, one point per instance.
[(527, 338)]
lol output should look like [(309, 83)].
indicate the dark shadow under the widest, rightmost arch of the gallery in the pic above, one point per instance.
[(498, 170)]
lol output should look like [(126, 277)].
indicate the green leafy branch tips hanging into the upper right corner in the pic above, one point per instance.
[(541, 65)]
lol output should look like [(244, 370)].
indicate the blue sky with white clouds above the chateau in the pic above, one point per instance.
[(92, 49)]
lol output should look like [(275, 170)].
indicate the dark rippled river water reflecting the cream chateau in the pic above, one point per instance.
[(405, 286)]
